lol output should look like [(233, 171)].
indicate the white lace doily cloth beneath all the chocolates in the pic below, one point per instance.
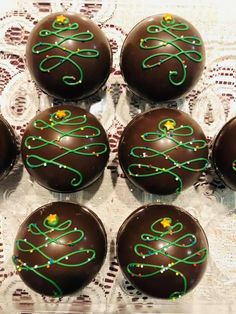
[(211, 103)]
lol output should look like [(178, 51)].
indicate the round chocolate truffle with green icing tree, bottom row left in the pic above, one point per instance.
[(59, 248)]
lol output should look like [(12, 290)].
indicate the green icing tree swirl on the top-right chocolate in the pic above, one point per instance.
[(156, 59)]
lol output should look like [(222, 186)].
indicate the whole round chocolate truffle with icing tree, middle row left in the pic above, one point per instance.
[(65, 148)]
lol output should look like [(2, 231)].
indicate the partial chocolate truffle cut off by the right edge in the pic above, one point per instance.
[(224, 154)]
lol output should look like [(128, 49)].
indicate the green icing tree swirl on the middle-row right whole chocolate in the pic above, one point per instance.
[(148, 154)]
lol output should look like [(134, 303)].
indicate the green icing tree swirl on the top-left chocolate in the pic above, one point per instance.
[(53, 61)]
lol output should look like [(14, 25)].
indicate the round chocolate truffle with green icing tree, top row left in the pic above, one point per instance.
[(68, 56)]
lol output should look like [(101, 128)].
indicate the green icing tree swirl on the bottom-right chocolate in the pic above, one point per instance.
[(188, 240)]
